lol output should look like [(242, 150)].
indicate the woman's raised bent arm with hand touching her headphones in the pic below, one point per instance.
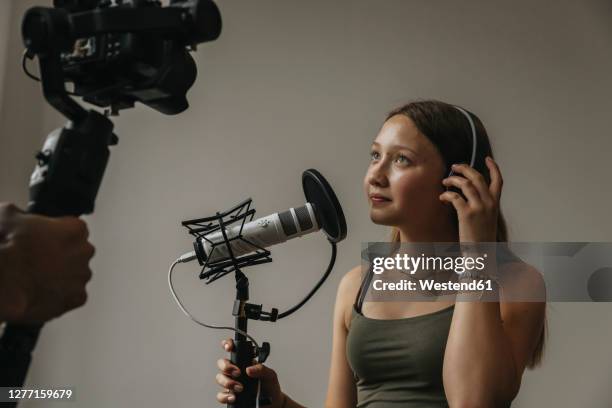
[(489, 344)]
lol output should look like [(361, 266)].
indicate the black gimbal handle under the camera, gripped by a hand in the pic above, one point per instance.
[(65, 181)]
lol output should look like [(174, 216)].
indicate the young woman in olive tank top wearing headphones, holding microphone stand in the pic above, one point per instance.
[(425, 354)]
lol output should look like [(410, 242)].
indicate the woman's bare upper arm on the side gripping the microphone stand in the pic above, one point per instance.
[(341, 391)]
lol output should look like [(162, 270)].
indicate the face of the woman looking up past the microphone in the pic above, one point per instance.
[(404, 178)]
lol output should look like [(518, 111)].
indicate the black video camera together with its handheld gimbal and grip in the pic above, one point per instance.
[(114, 53)]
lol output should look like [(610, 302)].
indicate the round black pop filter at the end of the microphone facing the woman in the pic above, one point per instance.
[(329, 212)]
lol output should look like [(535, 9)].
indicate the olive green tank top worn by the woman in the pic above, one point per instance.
[(398, 362)]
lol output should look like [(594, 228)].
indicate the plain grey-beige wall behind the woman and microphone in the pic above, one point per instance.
[(292, 85)]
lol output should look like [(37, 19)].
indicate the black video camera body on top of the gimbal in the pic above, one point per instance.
[(118, 52)]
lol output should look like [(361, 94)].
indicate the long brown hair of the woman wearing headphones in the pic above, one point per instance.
[(447, 128)]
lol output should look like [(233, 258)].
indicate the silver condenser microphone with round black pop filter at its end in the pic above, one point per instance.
[(322, 211)]
